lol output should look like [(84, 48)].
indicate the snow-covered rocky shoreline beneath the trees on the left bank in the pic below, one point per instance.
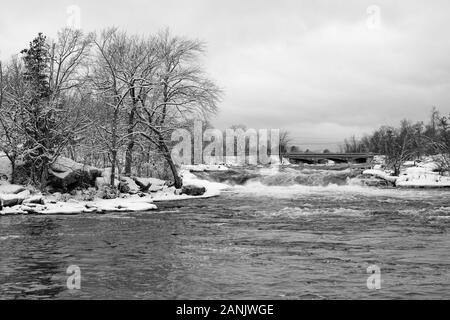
[(16, 199)]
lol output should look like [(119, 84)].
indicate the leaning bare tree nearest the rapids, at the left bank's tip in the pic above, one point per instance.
[(183, 91)]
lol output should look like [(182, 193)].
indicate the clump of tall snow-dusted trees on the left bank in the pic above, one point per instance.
[(106, 99)]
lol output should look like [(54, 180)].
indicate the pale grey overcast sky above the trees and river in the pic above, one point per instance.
[(323, 70)]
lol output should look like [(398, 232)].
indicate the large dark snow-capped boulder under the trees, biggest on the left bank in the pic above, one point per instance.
[(66, 175)]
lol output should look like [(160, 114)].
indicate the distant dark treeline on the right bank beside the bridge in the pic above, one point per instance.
[(409, 141)]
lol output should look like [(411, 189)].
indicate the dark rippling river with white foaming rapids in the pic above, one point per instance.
[(276, 235)]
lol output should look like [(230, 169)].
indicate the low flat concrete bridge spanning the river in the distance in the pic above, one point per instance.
[(336, 157)]
